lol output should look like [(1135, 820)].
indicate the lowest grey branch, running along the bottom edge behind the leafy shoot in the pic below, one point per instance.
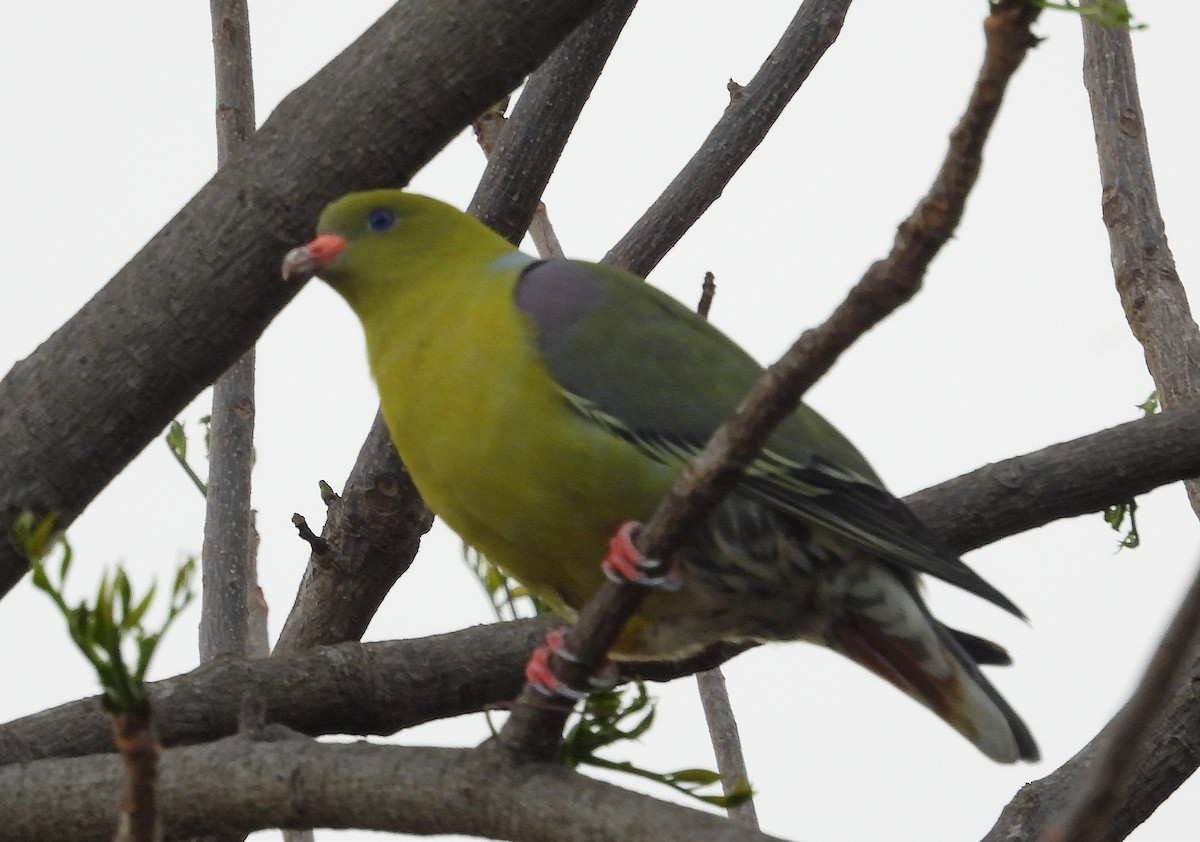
[(242, 785)]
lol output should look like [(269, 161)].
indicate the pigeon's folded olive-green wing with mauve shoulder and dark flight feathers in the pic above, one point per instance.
[(649, 370)]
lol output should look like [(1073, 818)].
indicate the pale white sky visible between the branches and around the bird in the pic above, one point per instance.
[(1017, 342)]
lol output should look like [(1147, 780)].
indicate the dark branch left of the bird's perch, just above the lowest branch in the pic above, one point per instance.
[(349, 689)]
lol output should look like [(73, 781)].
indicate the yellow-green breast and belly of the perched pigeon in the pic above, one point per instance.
[(494, 446)]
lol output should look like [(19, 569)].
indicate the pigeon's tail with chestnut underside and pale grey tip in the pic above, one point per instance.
[(887, 628)]
